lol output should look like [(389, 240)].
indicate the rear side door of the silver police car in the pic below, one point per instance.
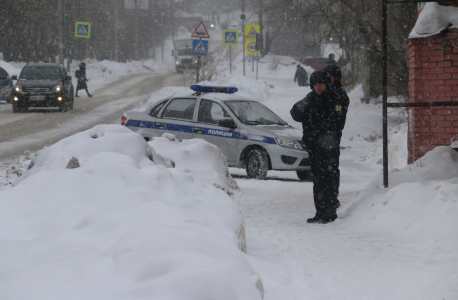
[(177, 118)]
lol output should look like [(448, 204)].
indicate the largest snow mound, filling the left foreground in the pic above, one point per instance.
[(100, 215)]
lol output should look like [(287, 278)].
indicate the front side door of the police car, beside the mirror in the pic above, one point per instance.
[(209, 116)]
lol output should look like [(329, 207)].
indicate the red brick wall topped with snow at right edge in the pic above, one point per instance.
[(433, 77)]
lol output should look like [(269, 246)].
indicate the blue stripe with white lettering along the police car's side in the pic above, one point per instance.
[(206, 131)]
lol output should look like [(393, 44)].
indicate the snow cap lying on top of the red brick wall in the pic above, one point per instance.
[(433, 19)]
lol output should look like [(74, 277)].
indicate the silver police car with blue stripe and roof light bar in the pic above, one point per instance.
[(249, 134)]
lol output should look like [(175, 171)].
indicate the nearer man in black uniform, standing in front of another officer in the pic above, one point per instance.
[(323, 113)]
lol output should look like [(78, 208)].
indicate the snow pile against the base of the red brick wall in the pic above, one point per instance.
[(420, 205)]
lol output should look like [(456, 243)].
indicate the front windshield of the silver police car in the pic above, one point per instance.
[(254, 113)]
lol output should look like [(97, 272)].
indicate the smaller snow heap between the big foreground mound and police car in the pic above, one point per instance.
[(198, 157)]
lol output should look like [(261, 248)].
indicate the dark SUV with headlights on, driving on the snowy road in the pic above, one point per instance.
[(43, 85)]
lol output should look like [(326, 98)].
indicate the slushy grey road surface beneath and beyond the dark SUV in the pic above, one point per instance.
[(44, 126)]
